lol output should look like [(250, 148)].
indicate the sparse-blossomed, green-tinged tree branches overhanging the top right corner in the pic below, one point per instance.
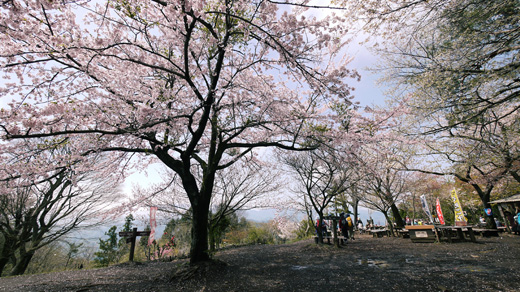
[(456, 58)]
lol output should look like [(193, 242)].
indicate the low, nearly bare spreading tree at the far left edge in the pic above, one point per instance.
[(34, 214)]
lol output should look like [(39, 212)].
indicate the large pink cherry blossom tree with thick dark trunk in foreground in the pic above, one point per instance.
[(196, 85)]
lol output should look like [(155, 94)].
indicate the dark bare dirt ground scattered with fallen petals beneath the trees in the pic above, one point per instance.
[(365, 264)]
